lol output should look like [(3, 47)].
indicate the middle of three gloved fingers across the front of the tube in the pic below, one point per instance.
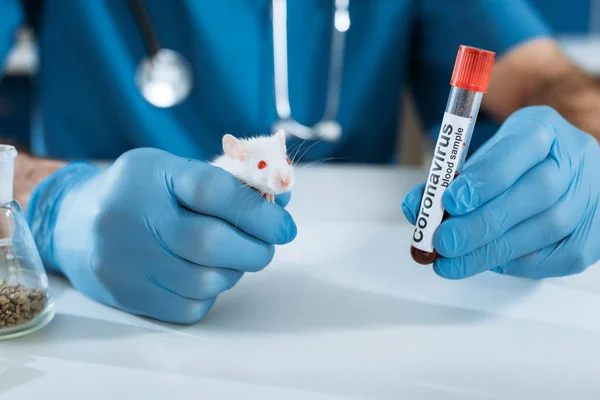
[(536, 191)]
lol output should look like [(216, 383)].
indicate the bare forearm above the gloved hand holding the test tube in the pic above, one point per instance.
[(538, 73)]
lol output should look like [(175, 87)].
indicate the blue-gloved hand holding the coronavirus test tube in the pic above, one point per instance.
[(526, 203)]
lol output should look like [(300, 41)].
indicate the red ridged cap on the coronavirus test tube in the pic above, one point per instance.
[(473, 69)]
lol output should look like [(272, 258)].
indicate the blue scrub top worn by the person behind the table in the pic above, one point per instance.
[(87, 105)]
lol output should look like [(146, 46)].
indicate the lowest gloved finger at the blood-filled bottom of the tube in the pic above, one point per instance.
[(534, 234)]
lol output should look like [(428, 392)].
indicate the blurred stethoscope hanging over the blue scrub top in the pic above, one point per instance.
[(164, 76)]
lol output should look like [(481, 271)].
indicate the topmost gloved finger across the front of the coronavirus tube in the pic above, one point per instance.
[(527, 144)]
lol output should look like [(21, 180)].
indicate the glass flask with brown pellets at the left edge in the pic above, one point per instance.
[(25, 302)]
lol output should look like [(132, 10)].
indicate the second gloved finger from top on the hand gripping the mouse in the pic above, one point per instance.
[(212, 242)]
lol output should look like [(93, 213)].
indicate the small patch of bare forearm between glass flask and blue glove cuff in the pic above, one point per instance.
[(29, 172)]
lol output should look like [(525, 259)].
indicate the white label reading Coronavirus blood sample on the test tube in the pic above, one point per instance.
[(447, 160)]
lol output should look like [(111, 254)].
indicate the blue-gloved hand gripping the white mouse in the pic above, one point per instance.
[(155, 234)]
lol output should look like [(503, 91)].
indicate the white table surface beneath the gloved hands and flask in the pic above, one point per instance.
[(342, 313)]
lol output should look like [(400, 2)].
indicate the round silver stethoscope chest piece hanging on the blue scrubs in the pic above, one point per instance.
[(164, 79)]
